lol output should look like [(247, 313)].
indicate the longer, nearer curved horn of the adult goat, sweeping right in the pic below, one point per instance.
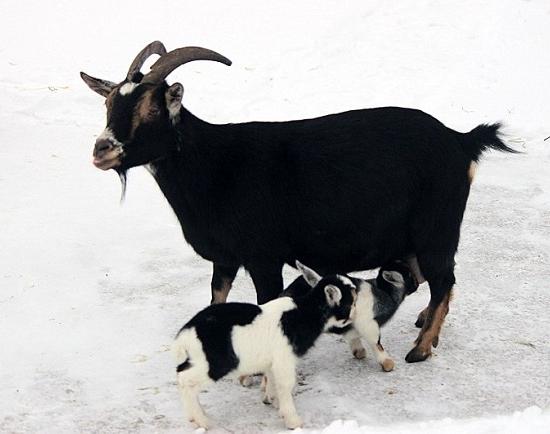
[(167, 63)]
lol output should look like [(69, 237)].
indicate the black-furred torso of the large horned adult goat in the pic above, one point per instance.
[(327, 191)]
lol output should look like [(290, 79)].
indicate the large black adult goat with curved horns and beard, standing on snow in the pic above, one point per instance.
[(342, 192)]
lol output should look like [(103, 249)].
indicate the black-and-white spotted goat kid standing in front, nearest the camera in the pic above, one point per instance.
[(236, 339)]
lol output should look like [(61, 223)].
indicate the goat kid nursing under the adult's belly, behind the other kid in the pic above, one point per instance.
[(377, 301)]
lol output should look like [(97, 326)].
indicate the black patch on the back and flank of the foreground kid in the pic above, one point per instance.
[(213, 326)]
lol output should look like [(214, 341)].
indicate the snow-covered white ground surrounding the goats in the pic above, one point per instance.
[(92, 292)]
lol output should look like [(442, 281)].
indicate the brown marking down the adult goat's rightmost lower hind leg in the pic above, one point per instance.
[(429, 335)]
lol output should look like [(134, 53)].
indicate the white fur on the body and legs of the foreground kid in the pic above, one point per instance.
[(260, 346)]
